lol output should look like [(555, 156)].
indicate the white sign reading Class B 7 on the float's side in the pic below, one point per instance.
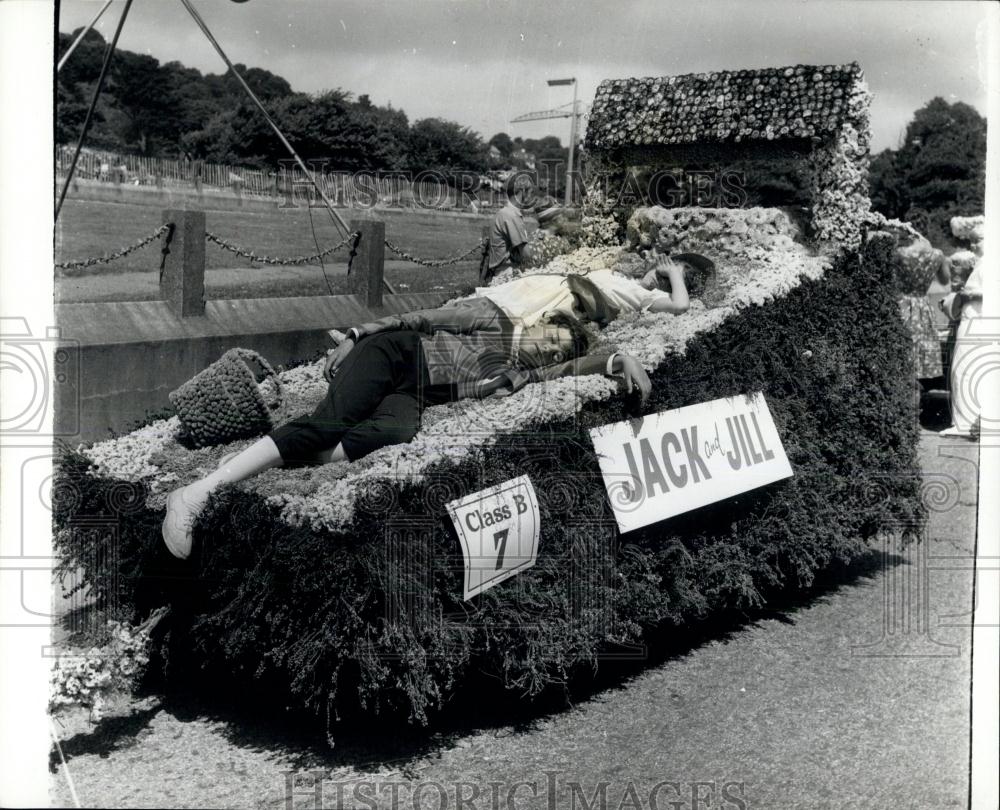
[(498, 528)]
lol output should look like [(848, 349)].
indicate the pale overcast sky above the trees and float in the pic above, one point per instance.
[(483, 62)]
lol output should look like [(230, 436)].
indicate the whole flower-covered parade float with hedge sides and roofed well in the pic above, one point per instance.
[(339, 588)]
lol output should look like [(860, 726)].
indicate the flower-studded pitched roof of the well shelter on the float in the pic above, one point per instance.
[(729, 106)]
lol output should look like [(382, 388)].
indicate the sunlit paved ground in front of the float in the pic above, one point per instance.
[(857, 698)]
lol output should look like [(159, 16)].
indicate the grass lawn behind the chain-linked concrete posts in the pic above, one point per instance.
[(88, 228)]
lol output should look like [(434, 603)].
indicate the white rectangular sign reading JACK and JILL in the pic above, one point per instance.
[(659, 466)]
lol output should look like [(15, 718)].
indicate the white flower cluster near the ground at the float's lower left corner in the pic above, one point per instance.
[(87, 677)]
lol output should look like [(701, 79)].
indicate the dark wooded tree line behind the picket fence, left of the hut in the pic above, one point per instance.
[(172, 111)]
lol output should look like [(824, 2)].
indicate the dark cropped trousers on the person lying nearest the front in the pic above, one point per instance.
[(376, 399)]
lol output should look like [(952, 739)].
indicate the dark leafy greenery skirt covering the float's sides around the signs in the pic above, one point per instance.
[(372, 619)]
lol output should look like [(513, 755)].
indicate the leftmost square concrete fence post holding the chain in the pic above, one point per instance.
[(182, 277)]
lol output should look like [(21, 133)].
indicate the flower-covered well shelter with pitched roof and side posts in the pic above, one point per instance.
[(816, 114)]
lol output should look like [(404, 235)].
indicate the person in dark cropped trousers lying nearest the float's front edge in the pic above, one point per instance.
[(378, 389)]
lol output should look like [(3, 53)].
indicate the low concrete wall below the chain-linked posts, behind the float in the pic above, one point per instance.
[(122, 359)]
